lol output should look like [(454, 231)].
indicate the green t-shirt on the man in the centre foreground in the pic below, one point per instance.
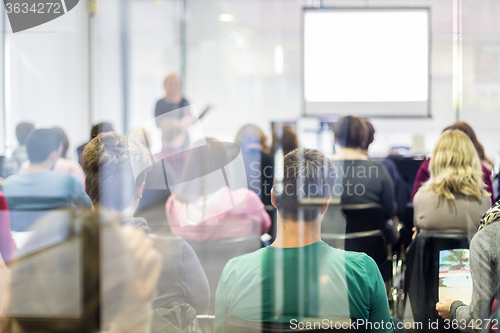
[(315, 281)]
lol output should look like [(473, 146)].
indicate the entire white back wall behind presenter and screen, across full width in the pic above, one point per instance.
[(232, 65)]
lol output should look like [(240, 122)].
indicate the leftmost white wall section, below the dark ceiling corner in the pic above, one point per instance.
[(49, 76)]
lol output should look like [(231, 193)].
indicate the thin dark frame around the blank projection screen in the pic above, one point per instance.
[(389, 8)]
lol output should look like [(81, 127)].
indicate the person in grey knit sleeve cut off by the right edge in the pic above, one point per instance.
[(485, 271)]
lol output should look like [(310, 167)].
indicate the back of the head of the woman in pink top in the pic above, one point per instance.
[(201, 161)]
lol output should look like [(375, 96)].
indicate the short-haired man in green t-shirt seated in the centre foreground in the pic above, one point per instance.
[(299, 276)]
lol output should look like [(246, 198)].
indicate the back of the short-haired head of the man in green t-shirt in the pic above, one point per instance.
[(308, 174)]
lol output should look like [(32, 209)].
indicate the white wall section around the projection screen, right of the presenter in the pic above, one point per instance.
[(231, 64)]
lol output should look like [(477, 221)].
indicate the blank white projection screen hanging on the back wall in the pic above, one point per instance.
[(371, 62)]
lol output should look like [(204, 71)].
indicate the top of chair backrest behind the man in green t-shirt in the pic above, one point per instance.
[(236, 325)]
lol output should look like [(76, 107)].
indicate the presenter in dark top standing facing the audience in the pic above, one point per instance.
[(174, 105)]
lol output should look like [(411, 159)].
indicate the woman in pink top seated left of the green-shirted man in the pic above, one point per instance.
[(202, 208)]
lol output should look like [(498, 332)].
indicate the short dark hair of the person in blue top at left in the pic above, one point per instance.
[(41, 143)]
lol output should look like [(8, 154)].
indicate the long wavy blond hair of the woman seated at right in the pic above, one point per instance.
[(455, 167)]
